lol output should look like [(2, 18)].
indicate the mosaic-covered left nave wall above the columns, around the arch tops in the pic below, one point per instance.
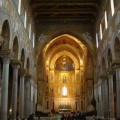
[(8, 11)]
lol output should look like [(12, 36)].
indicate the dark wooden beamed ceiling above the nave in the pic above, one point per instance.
[(65, 10)]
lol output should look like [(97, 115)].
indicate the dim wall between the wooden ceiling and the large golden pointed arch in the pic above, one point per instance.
[(47, 32)]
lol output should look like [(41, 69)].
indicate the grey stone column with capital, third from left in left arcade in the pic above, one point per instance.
[(21, 107)]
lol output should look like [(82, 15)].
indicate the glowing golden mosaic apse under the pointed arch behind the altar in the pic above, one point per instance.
[(63, 61)]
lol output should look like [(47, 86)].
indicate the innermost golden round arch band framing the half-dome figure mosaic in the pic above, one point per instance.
[(64, 53)]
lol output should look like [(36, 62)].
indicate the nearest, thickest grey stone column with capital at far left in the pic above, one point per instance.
[(6, 54)]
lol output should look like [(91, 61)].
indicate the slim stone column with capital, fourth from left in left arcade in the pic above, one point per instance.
[(28, 78)]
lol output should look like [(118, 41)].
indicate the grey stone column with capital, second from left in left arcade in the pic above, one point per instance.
[(16, 66)]
